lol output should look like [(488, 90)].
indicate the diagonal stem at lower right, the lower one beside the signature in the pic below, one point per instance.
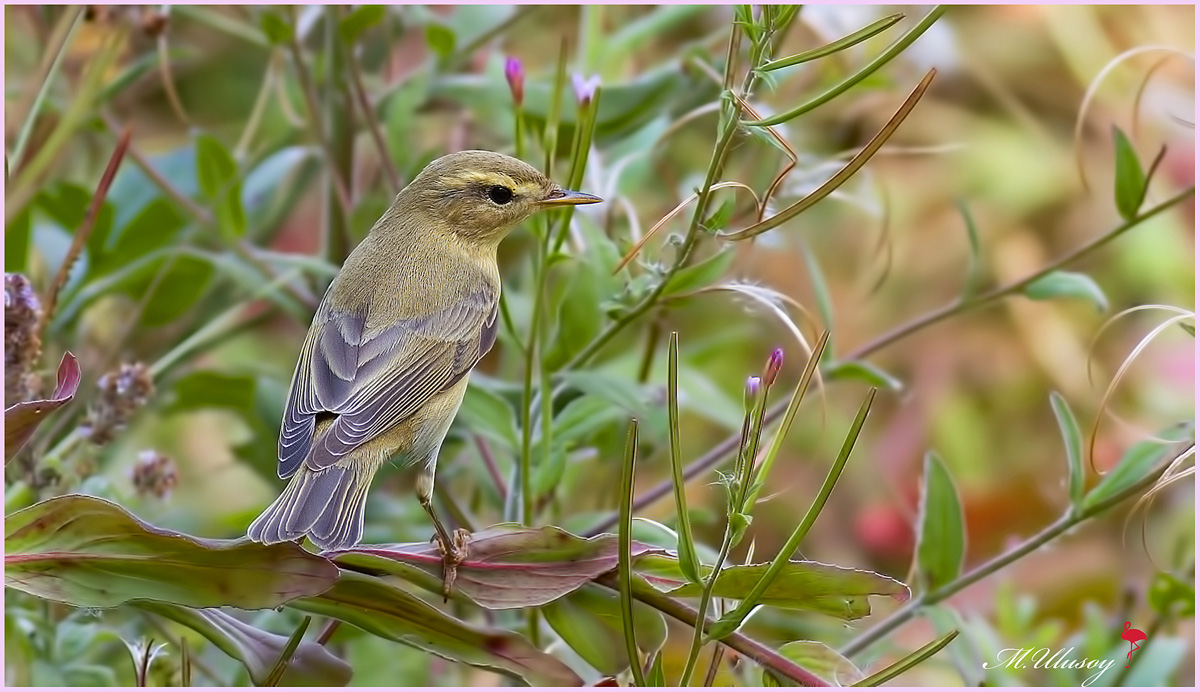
[(1070, 521)]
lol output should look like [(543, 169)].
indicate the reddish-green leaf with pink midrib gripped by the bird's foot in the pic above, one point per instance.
[(508, 567)]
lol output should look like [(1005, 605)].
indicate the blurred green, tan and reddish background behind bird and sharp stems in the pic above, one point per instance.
[(995, 135)]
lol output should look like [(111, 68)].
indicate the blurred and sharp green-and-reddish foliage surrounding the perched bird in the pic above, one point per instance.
[(172, 221)]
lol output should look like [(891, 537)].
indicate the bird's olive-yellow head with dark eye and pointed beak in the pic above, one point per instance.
[(483, 195)]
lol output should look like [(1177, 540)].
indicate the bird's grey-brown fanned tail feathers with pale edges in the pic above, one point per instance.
[(328, 506)]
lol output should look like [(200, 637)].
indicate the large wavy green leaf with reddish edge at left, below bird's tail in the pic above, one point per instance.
[(93, 553)]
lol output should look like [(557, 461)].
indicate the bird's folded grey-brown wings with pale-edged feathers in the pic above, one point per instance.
[(373, 380)]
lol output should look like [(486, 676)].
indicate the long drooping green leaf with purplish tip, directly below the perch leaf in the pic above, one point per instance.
[(388, 612)]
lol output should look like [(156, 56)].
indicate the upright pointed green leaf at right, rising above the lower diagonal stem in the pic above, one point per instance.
[(941, 544)]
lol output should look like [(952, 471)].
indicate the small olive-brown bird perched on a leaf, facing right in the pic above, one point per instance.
[(386, 363)]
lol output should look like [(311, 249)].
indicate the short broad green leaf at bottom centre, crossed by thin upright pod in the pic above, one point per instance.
[(589, 619)]
